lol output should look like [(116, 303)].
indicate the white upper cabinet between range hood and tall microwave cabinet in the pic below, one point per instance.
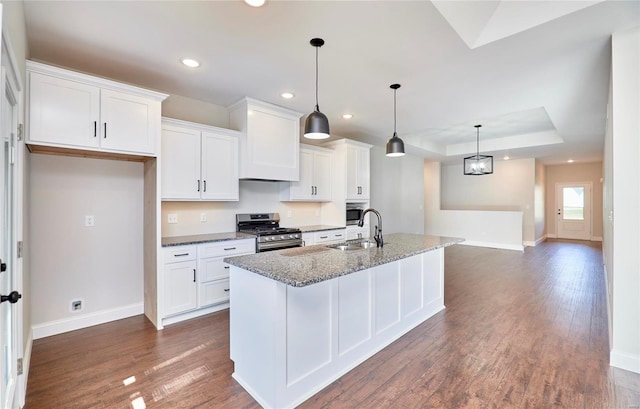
[(316, 166)]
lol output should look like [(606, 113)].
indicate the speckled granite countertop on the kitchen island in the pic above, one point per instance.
[(303, 266)]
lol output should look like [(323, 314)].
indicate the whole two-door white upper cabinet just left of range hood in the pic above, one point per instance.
[(199, 162)]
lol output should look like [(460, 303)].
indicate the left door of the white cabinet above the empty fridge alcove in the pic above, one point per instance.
[(63, 112)]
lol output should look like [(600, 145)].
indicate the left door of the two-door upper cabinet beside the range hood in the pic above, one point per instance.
[(180, 163)]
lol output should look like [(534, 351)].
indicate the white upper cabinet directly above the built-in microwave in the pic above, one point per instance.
[(352, 176)]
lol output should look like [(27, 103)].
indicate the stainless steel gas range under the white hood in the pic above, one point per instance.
[(266, 227)]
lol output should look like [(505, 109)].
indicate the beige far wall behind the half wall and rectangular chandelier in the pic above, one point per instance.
[(511, 187)]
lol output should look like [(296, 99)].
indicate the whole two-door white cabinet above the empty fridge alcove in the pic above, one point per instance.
[(77, 111)]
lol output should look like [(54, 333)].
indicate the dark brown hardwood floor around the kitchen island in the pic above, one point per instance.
[(521, 330)]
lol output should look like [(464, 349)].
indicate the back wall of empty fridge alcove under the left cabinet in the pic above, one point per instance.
[(102, 265)]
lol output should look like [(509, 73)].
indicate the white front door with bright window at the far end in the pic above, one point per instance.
[(573, 210)]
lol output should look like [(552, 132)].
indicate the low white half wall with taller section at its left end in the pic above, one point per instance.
[(499, 229)]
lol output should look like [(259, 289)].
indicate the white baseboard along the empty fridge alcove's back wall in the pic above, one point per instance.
[(48, 329)]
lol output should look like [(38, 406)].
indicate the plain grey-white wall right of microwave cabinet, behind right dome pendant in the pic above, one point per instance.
[(397, 192)]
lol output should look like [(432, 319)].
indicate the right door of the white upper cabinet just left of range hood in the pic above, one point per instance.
[(219, 167)]
